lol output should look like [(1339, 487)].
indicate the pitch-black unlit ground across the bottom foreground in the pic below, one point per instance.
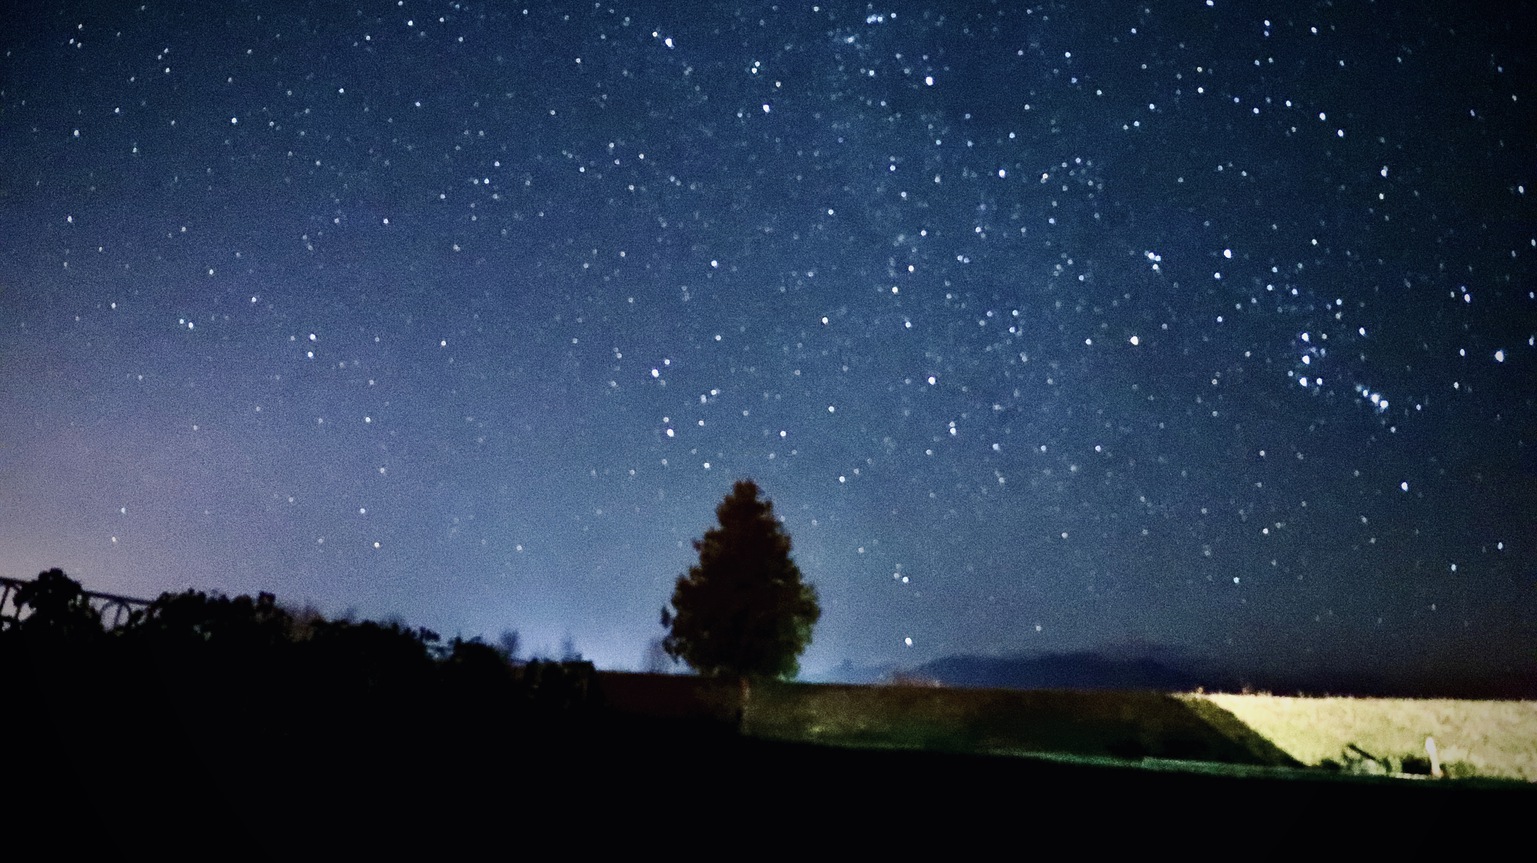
[(133, 767)]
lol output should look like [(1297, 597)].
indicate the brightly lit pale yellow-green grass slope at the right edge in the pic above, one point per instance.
[(1487, 739)]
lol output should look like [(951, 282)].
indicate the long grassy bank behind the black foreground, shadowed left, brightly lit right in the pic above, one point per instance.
[(1359, 736)]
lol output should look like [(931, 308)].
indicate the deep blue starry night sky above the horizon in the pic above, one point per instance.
[(1200, 327)]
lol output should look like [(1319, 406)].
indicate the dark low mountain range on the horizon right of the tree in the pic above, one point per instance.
[(1091, 670)]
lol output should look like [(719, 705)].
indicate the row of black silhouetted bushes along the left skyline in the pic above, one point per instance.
[(273, 662)]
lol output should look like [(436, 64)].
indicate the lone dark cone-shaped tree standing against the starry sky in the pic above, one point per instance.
[(742, 611)]
